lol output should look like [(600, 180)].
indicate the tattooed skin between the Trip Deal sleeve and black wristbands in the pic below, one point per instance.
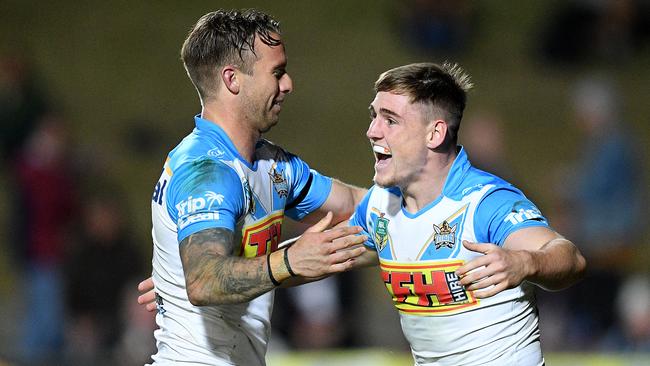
[(214, 276)]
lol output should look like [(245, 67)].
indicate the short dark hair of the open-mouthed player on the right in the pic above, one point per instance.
[(444, 87)]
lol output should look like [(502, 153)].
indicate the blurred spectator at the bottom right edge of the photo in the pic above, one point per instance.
[(631, 333)]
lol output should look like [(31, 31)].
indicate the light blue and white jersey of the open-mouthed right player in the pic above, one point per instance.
[(418, 253)]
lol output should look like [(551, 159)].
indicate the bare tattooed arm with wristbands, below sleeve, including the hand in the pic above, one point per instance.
[(213, 276)]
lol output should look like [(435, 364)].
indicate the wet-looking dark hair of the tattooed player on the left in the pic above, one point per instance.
[(225, 37)]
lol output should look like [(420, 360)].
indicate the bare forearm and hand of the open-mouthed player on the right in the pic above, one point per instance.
[(535, 254)]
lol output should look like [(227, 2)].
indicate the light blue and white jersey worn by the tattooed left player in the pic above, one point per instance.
[(205, 184)]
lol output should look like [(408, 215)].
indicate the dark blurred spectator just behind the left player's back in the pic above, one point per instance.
[(102, 263)]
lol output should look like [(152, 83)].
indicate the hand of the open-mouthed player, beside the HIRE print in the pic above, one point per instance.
[(497, 270)]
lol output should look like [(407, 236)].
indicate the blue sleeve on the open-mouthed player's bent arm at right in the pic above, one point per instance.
[(502, 212)]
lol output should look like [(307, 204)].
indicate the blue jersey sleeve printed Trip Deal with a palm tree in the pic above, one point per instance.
[(204, 194)]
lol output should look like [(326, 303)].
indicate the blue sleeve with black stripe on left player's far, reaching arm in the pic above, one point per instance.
[(308, 189)]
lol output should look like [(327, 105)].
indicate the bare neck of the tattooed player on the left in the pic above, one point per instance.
[(242, 136)]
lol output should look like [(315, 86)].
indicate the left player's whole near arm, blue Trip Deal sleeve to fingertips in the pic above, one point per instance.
[(206, 199)]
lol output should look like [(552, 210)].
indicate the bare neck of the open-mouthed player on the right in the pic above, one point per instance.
[(428, 187)]
